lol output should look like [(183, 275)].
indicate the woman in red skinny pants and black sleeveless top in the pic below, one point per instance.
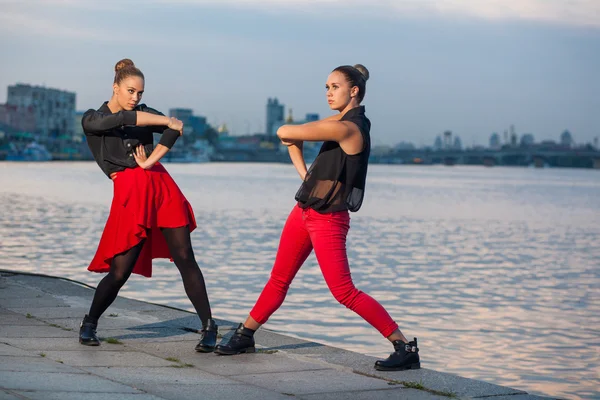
[(332, 187)]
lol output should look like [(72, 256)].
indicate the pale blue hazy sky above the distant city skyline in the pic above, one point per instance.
[(470, 66)]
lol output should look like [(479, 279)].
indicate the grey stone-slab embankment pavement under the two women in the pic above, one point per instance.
[(148, 354)]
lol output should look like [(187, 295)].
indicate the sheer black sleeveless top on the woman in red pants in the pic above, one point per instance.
[(336, 180)]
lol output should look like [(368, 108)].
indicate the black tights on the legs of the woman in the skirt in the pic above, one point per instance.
[(180, 246)]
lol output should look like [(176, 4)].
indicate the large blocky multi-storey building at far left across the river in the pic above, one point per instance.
[(54, 109)]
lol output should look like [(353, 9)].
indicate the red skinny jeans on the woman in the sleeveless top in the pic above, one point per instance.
[(304, 231)]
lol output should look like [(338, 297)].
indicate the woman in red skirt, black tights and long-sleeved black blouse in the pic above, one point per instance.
[(149, 216)]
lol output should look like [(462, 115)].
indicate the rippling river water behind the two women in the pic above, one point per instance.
[(495, 270)]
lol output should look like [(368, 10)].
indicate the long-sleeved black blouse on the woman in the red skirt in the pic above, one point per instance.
[(113, 137)]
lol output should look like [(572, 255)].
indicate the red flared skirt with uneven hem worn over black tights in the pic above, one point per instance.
[(144, 201)]
